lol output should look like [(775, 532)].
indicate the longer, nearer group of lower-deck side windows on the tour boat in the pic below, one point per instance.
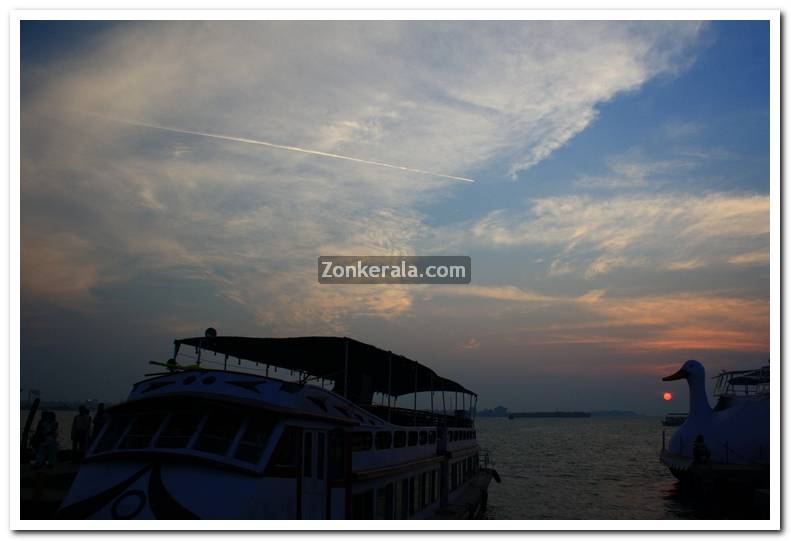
[(397, 500)]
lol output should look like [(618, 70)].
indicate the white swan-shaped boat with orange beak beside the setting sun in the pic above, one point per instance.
[(734, 433)]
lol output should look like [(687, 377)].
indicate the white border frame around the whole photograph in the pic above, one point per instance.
[(773, 16)]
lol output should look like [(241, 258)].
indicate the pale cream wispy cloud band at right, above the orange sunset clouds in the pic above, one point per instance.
[(596, 236)]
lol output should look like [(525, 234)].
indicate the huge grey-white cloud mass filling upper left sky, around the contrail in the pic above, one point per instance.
[(452, 97)]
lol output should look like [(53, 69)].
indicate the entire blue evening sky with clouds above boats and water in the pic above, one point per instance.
[(618, 224)]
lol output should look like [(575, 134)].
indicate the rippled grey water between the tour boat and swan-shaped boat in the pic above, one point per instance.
[(594, 468)]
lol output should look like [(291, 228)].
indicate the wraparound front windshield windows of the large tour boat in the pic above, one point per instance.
[(219, 431)]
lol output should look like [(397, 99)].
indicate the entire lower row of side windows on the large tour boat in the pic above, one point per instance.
[(406, 497)]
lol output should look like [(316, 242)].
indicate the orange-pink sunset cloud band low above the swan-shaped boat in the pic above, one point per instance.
[(638, 325)]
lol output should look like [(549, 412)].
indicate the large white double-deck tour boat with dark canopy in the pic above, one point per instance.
[(310, 428)]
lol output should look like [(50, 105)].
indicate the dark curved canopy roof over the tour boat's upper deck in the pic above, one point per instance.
[(328, 357)]
